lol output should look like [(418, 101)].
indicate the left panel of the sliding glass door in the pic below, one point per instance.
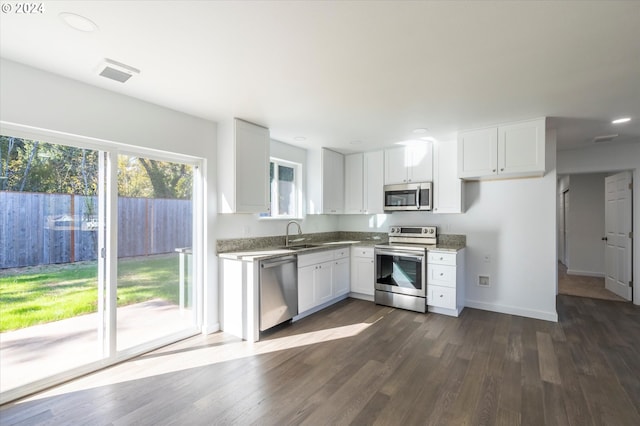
[(50, 321)]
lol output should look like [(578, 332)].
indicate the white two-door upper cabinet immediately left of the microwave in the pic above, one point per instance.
[(364, 183)]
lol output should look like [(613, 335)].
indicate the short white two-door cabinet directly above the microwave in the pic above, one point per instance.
[(411, 163)]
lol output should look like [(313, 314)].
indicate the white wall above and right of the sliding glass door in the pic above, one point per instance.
[(31, 97)]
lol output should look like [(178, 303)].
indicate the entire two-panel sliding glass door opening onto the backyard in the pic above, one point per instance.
[(96, 258)]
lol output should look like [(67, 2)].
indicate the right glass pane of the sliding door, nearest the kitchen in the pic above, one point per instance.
[(155, 229)]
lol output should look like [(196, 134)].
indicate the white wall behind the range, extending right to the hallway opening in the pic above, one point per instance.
[(513, 222)]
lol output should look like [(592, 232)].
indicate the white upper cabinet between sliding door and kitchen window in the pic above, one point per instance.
[(243, 167)]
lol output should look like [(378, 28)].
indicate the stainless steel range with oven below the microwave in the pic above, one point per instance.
[(401, 267)]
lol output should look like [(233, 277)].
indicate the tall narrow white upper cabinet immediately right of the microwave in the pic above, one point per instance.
[(447, 188)]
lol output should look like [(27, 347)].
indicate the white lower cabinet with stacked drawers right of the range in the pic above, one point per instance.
[(445, 285)]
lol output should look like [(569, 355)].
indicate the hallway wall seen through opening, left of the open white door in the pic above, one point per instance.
[(586, 225)]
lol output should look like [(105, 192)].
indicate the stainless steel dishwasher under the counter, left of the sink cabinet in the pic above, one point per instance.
[(278, 291)]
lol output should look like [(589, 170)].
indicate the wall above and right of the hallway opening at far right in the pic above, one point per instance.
[(606, 158)]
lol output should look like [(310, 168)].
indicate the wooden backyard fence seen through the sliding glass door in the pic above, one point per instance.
[(38, 229)]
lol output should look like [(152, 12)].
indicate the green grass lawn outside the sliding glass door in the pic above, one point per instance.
[(42, 294)]
